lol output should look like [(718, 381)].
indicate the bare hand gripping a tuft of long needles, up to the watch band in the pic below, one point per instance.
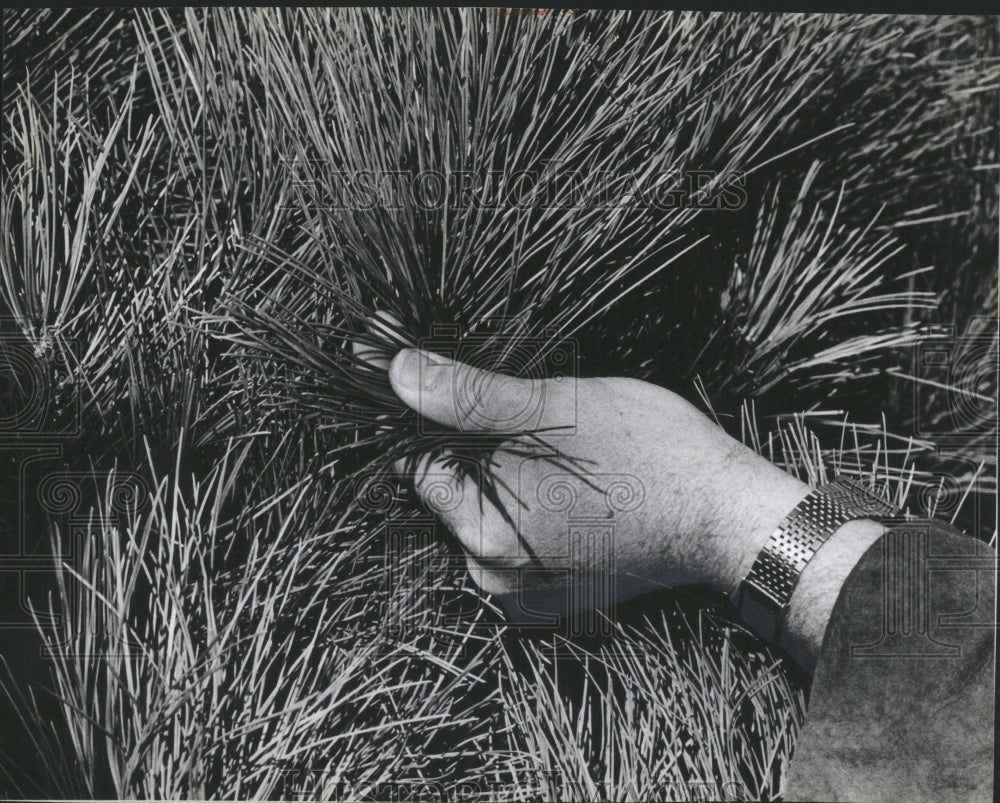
[(688, 503)]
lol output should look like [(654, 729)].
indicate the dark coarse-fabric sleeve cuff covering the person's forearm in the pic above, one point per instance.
[(901, 706)]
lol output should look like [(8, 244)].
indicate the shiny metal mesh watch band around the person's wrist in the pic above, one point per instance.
[(763, 596)]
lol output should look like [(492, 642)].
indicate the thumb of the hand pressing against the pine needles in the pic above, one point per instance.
[(464, 397)]
